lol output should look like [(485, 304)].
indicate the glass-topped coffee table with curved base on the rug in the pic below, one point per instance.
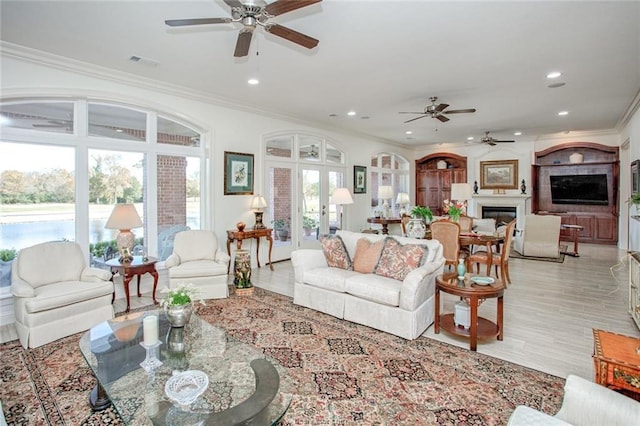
[(245, 387)]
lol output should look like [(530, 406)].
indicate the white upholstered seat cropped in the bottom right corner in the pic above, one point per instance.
[(584, 404)]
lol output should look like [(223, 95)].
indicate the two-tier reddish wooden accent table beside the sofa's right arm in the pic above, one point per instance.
[(474, 294)]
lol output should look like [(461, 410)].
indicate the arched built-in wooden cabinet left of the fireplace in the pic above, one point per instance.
[(433, 184)]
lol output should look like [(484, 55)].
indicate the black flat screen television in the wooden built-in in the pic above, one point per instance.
[(580, 189)]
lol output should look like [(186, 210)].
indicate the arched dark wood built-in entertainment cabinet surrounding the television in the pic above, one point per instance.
[(600, 222)]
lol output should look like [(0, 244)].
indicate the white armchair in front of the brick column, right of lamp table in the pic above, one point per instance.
[(198, 259)]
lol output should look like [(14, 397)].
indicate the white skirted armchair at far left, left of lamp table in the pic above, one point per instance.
[(56, 294)]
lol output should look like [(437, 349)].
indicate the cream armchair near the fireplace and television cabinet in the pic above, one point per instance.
[(540, 236)]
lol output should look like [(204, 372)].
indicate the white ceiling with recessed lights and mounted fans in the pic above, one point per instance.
[(375, 57)]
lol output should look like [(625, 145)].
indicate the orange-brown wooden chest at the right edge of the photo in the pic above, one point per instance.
[(616, 361)]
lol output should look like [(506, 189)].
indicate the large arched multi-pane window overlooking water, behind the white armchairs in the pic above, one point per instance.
[(65, 164)]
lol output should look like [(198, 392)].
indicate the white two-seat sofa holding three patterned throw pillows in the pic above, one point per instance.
[(403, 308)]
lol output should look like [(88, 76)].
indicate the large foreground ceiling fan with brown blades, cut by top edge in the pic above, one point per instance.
[(254, 13)]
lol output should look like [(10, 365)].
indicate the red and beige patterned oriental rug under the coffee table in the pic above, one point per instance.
[(345, 374)]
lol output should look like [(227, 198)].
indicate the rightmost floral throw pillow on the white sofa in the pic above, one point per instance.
[(397, 260)]
